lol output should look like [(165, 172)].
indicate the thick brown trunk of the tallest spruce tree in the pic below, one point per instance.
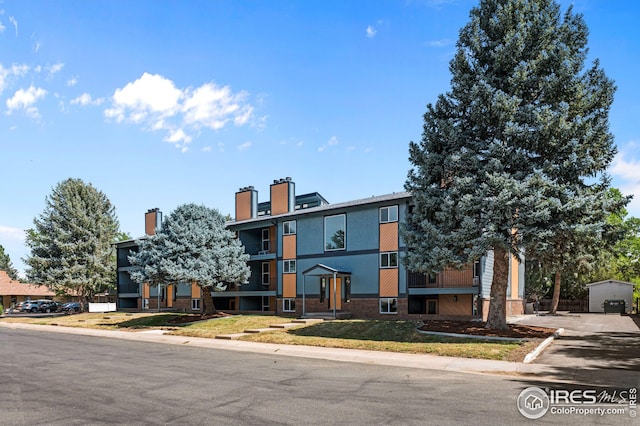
[(497, 318)]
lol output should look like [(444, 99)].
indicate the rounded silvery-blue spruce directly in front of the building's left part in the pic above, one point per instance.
[(193, 245)]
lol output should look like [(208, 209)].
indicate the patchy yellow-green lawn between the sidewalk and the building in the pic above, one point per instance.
[(377, 335)]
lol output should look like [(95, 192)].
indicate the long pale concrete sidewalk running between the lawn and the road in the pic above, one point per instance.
[(541, 372)]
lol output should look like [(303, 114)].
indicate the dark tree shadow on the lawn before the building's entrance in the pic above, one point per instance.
[(380, 330)]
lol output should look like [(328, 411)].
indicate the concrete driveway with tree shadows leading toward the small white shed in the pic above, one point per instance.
[(590, 341)]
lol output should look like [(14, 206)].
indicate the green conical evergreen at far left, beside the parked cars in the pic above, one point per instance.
[(71, 243)]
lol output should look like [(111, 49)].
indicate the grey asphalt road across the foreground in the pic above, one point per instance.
[(53, 378)]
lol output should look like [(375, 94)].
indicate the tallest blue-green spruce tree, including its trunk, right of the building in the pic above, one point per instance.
[(520, 143)]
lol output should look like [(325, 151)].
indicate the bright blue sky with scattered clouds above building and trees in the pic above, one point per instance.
[(160, 103)]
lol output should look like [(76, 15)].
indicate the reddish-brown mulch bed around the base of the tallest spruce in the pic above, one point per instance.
[(477, 328)]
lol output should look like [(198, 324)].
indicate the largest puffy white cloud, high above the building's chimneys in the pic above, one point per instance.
[(155, 103)]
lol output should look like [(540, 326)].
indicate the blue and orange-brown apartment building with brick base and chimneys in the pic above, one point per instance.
[(308, 257)]
